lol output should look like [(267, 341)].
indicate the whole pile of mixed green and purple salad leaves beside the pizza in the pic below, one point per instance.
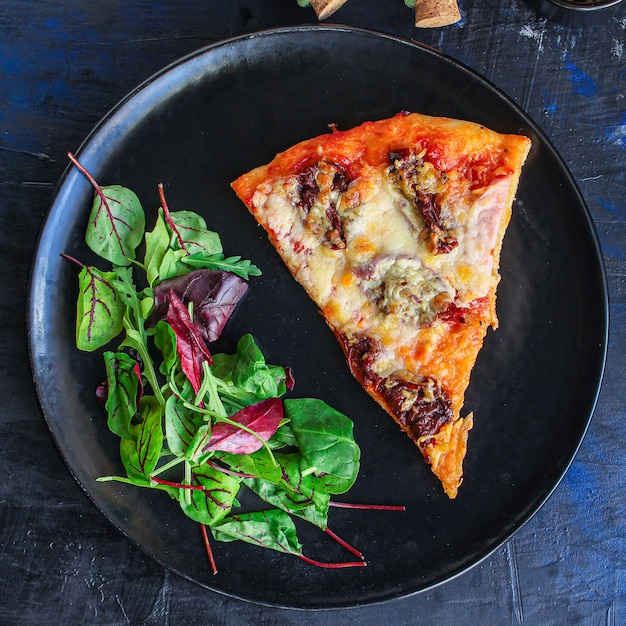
[(195, 424)]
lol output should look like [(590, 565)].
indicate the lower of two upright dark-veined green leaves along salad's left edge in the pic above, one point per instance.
[(140, 456)]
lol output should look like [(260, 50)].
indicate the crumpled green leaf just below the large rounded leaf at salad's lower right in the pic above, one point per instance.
[(303, 496)]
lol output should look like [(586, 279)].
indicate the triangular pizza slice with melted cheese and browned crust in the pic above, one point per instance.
[(394, 228)]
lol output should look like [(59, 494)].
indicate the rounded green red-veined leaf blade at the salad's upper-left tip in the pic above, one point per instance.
[(116, 224)]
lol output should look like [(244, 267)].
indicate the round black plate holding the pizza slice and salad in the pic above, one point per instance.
[(212, 116)]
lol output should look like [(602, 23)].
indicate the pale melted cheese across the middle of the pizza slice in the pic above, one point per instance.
[(386, 281)]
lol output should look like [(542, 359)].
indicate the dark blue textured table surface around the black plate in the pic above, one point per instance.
[(63, 65)]
